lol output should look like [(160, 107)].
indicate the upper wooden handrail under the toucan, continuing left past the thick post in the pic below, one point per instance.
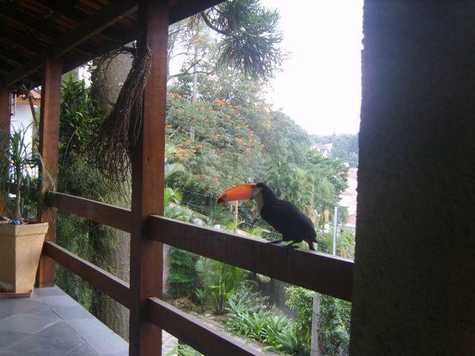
[(322, 273)]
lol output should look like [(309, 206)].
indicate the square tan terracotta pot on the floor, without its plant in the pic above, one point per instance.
[(20, 251)]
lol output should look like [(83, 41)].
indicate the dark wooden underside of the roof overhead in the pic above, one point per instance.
[(76, 30)]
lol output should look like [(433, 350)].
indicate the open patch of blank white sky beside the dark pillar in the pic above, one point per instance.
[(320, 85)]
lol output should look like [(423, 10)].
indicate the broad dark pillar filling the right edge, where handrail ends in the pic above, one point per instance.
[(414, 289)]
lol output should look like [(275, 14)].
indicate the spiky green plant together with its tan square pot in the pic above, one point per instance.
[(21, 239)]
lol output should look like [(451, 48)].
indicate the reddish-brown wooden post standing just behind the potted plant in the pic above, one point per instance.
[(49, 142)]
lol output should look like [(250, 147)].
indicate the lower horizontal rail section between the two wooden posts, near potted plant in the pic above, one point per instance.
[(105, 281)]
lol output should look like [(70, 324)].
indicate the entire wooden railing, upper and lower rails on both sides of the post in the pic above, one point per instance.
[(315, 271)]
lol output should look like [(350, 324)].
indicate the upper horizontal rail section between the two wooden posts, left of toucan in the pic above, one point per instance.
[(101, 213)]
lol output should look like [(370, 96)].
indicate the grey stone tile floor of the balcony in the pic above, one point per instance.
[(50, 323)]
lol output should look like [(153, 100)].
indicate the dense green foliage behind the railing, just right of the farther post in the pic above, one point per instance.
[(79, 175)]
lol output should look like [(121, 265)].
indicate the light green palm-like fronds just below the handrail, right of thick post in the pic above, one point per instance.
[(219, 281)]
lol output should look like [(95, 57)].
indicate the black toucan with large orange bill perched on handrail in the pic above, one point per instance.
[(282, 215)]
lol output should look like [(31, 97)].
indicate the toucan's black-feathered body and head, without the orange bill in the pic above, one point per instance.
[(285, 217)]
